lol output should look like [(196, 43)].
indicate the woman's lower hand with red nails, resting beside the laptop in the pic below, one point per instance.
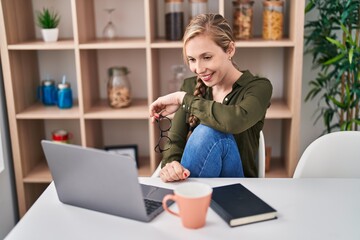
[(174, 171)]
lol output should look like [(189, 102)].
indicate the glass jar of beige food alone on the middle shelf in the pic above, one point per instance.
[(118, 87)]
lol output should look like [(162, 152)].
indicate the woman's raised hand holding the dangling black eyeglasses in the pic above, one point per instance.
[(166, 105)]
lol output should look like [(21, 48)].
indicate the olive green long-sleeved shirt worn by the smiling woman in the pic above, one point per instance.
[(241, 113)]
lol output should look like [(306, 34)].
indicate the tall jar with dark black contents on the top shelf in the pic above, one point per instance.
[(174, 19)]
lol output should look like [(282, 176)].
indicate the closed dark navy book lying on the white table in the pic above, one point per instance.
[(237, 205)]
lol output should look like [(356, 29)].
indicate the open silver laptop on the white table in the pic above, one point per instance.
[(101, 181)]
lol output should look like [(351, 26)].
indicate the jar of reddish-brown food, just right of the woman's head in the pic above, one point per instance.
[(243, 17)]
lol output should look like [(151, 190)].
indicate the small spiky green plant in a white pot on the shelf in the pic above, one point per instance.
[(48, 21)]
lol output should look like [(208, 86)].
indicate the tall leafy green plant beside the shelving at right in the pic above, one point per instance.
[(333, 40)]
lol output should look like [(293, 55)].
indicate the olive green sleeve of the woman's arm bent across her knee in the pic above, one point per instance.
[(247, 110)]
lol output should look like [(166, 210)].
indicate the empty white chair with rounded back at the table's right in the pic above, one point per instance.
[(334, 155)]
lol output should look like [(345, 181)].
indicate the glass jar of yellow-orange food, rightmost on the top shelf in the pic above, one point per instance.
[(273, 19)]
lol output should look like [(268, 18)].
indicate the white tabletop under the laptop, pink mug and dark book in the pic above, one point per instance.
[(307, 209)]
